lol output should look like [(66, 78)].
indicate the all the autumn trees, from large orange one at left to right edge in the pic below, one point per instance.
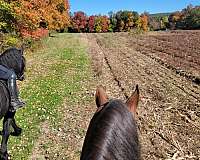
[(36, 17)]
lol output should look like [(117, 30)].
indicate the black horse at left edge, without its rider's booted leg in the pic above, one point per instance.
[(13, 59)]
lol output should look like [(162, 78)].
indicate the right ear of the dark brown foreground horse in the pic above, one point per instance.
[(133, 100)]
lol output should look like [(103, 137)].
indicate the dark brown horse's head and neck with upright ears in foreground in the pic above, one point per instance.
[(112, 132)]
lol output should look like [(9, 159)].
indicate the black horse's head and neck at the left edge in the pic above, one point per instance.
[(13, 59)]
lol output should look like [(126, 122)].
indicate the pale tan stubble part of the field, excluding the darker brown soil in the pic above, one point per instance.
[(169, 110)]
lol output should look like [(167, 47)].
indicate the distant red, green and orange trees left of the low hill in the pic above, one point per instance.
[(115, 22)]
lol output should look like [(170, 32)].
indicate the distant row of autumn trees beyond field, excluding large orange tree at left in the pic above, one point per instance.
[(122, 21)]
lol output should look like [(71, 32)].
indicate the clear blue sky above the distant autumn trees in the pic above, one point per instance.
[(91, 7)]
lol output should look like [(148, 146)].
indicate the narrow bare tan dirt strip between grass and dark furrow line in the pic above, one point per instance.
[(102, 72)]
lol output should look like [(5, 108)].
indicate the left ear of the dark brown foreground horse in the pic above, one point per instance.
[(101, 96)]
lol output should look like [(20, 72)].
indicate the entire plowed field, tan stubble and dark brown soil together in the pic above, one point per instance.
[(166, 66)]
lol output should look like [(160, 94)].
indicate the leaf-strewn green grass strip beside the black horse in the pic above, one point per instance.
[(55, 73)]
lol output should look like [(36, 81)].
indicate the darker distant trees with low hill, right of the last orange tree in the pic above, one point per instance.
[(188, 18)]
